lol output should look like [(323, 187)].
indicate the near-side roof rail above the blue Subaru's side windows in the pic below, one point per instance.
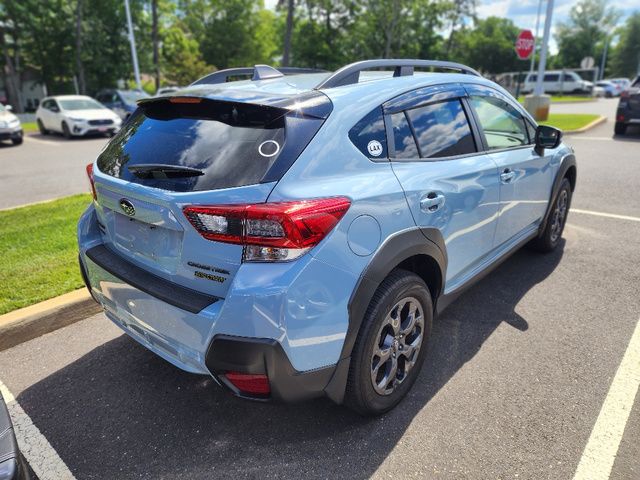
[(350, 74)]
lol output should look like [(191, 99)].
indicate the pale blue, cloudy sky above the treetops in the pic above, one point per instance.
[(524, 12)]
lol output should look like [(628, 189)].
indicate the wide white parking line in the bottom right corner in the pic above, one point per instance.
[(600, 453)]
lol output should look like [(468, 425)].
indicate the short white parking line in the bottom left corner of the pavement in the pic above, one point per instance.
[(34, 446)]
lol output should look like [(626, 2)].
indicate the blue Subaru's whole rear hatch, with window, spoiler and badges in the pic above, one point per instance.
[(184, 151)]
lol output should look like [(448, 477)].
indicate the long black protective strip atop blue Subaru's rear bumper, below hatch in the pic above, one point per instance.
[(158, 287)]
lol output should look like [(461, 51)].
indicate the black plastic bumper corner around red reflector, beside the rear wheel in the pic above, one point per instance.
[(265, 356)]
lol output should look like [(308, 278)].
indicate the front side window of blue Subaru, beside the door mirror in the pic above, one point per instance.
[(502, 124)]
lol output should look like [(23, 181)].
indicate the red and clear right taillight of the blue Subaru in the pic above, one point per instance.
[(270, 231)]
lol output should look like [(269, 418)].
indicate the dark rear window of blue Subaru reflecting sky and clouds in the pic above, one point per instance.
[(216, 144)]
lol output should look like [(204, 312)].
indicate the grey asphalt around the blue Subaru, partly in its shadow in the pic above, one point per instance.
[(518, 371)]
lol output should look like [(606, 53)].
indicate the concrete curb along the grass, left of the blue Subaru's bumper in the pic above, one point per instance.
[(30, 322)]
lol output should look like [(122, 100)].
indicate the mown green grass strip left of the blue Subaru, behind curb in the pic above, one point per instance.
[(39, 251)]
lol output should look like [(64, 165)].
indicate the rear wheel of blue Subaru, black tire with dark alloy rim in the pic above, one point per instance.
[(383, 332)]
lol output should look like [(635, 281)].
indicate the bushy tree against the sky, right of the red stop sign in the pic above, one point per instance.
[(585, 32)]
